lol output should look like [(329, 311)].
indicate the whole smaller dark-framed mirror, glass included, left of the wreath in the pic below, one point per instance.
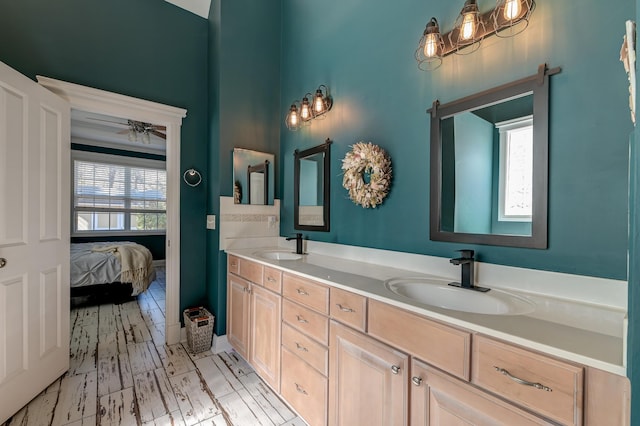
[(311, 188)]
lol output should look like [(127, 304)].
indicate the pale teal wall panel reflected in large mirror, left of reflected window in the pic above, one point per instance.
[(473, 170)]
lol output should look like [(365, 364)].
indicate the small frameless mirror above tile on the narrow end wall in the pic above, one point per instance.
[(253, 177)]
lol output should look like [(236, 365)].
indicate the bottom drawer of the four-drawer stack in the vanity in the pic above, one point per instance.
[(304, 389)]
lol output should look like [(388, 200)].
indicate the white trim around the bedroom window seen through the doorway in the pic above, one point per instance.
[(119, 160)]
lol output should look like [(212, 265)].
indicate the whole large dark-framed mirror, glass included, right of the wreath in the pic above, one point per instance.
[(489, 165)]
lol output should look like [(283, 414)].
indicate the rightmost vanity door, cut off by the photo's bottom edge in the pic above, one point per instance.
[(439, 399)]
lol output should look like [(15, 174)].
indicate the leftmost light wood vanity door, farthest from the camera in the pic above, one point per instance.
[(238, 291)]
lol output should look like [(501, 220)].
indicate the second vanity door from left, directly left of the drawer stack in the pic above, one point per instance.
[(264, 350)]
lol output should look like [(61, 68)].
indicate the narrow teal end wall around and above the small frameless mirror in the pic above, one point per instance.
[(244, 100)]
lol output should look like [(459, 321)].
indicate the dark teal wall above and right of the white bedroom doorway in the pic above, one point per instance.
[(148, 49)]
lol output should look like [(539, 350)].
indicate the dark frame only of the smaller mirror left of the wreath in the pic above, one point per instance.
[(325, 148)]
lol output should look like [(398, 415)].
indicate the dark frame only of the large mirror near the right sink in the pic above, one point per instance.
[(538, 85)]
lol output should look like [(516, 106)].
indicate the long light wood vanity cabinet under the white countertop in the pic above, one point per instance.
[(339, 358)]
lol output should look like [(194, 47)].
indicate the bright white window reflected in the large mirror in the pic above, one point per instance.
[(516, 170)]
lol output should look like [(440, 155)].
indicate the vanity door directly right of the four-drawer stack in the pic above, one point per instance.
[(368, 380)]
